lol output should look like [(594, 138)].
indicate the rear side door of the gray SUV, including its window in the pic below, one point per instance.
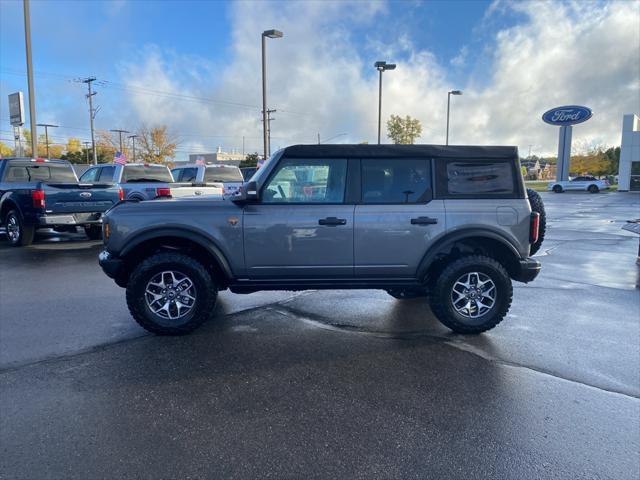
[(397, 218)]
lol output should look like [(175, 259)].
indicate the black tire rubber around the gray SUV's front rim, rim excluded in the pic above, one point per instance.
[(206, 293)]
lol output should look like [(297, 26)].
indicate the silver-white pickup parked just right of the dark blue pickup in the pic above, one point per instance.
[(146, 181)]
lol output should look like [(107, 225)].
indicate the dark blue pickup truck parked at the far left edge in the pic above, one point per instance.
[(39, 193)]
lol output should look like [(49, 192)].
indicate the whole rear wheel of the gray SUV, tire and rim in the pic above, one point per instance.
[(472, 294)]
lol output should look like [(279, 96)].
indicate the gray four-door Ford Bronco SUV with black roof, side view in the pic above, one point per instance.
[(452, 223)]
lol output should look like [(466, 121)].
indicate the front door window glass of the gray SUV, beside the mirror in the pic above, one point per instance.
[(299, 180)]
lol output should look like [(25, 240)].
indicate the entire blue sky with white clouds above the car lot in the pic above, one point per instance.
[(195, 66)]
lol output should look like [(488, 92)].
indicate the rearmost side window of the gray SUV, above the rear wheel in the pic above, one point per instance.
[(490, 178)]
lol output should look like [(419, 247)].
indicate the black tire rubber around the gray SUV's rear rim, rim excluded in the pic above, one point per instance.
[(440, 298)]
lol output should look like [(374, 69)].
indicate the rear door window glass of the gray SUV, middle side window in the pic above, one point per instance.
[(396, 180)]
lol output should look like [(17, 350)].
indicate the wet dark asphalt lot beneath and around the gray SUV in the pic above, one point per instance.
[(351, 384)]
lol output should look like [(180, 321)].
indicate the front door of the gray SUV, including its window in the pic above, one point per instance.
[(301, 226)]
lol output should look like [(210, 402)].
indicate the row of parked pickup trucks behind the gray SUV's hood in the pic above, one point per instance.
[(42, 193)]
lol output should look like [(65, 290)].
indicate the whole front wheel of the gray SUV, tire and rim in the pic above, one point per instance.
[(170, 294)]
